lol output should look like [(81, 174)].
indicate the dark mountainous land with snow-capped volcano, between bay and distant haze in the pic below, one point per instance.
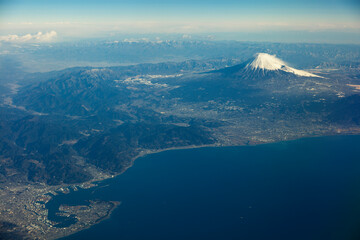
[(69, 125)]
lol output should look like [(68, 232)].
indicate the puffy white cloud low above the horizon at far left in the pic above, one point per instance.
[(30, 38)]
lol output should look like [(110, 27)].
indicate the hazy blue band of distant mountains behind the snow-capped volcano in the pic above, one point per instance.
[(56, 56)]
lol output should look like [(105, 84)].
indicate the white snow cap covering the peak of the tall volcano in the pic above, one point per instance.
[(264, 61)]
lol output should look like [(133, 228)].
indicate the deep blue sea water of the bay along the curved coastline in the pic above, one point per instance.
[(303, 189)]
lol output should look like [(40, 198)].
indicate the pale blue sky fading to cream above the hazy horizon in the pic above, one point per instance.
[(90, 18)]
